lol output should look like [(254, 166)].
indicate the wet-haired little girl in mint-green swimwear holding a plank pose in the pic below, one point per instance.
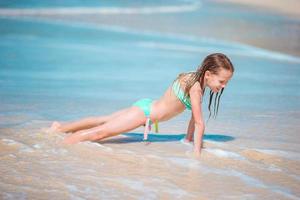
[(186, 92)]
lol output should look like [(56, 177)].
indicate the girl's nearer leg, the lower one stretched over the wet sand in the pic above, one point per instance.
[(131, 119)]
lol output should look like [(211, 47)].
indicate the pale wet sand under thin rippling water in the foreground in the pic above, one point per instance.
[(122, 167)]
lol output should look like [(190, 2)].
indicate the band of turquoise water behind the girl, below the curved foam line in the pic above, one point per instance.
[(49, 64)]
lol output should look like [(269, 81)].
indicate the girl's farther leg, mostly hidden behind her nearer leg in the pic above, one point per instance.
[(86, 123)]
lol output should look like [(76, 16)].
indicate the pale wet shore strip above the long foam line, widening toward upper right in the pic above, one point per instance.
[(267, 25)]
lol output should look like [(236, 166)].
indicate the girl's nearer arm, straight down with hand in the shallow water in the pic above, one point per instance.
[(196, 96)]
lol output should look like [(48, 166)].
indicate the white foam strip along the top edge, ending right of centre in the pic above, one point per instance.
[(188, 7)]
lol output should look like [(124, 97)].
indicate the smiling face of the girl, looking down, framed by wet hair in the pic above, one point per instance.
[(217, 81)]
